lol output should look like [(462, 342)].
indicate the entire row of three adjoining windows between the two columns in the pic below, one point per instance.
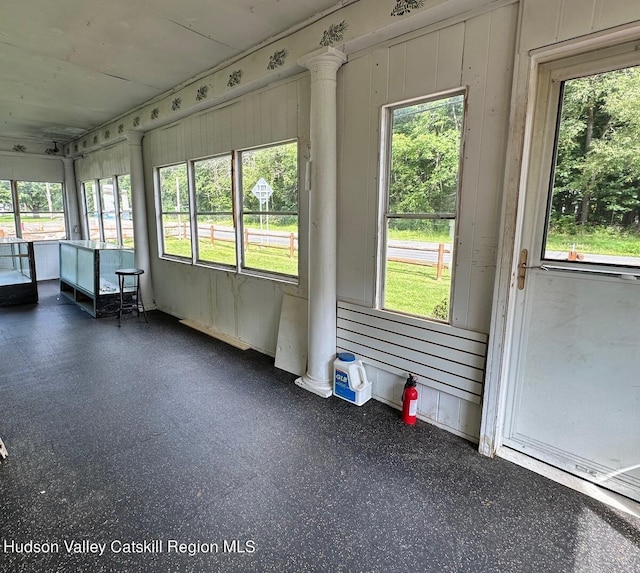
[(249, 222)]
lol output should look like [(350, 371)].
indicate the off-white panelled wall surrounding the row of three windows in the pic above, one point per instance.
[(243, 307)]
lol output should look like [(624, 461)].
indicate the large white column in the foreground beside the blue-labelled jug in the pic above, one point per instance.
[(323, 65)]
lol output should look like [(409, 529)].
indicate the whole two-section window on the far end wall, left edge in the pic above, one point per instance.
[(32, 210)]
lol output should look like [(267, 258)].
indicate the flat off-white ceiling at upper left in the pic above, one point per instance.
[(68, 66)]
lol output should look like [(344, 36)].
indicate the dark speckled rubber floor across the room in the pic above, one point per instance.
[(154, 432)]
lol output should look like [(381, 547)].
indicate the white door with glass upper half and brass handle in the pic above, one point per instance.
[(574, 373)]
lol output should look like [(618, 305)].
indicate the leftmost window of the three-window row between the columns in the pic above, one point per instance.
[(175, 211)]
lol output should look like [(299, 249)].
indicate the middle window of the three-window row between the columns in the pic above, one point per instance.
[(214, 210)]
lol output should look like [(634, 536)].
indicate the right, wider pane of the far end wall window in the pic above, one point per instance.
[(41, 208)]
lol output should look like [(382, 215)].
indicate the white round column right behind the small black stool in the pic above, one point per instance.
[(139, 208)]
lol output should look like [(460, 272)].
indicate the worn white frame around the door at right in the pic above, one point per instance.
[(504, 327)]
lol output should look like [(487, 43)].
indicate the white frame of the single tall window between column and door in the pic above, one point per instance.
[(385, 155)]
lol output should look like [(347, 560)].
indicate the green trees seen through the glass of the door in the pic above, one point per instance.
[(597, 175)]
